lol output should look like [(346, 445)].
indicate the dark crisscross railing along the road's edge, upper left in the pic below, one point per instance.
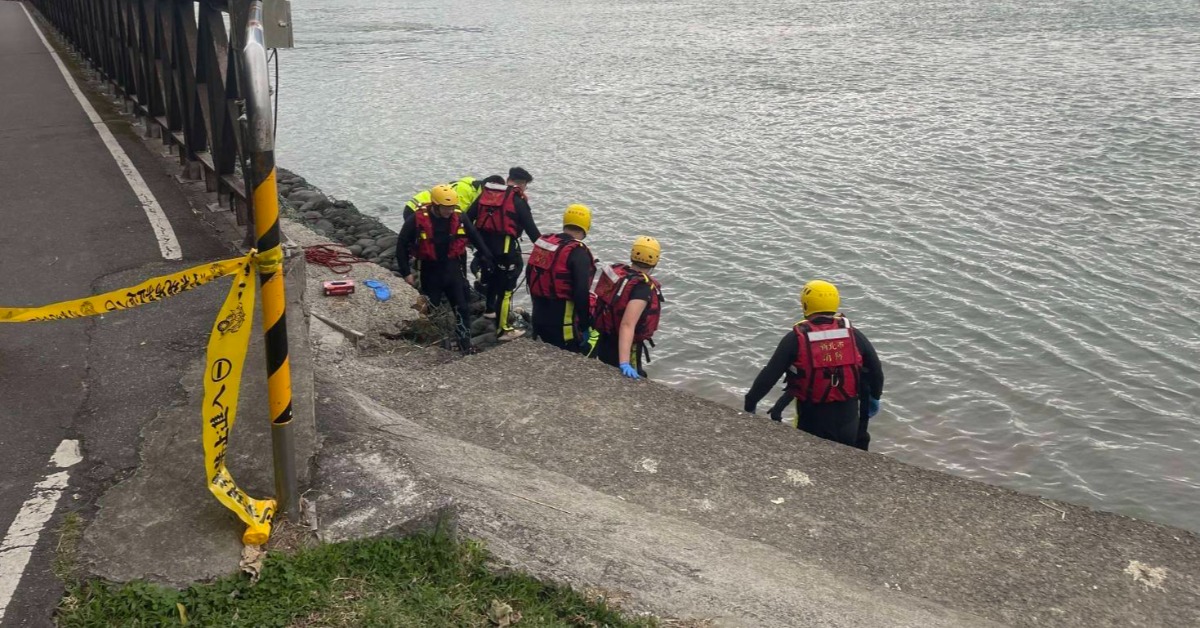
[(177, 65)]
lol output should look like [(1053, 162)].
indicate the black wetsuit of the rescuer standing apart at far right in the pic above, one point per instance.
[(841, 422)]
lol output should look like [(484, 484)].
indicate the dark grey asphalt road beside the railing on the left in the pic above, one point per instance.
[(73, 226)]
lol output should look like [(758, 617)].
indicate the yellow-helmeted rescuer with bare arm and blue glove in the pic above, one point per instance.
[(629, 303)]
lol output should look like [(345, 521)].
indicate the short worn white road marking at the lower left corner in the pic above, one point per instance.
[(23, 534)]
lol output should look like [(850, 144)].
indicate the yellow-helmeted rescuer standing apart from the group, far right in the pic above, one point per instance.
[(827, 363)]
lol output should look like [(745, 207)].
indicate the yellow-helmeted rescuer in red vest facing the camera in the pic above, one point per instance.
[(437, 237)]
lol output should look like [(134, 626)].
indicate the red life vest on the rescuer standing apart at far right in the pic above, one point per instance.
[(827, 363)]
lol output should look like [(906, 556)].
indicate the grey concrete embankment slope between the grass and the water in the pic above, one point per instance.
[(697, 510)]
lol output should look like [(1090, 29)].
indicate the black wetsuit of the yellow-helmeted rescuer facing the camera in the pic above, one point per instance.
[(442, 278)]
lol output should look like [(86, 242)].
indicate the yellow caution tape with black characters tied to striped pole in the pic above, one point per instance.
[(226, 356)]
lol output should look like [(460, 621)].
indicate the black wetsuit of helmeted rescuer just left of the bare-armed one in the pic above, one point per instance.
[(551, 322)]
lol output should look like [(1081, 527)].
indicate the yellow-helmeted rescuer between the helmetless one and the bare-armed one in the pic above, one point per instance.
[(560, 279)]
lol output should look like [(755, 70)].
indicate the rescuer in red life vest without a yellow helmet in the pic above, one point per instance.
[(502, 214)]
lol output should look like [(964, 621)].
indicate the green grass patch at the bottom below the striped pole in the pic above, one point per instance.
[(423, 581)]
